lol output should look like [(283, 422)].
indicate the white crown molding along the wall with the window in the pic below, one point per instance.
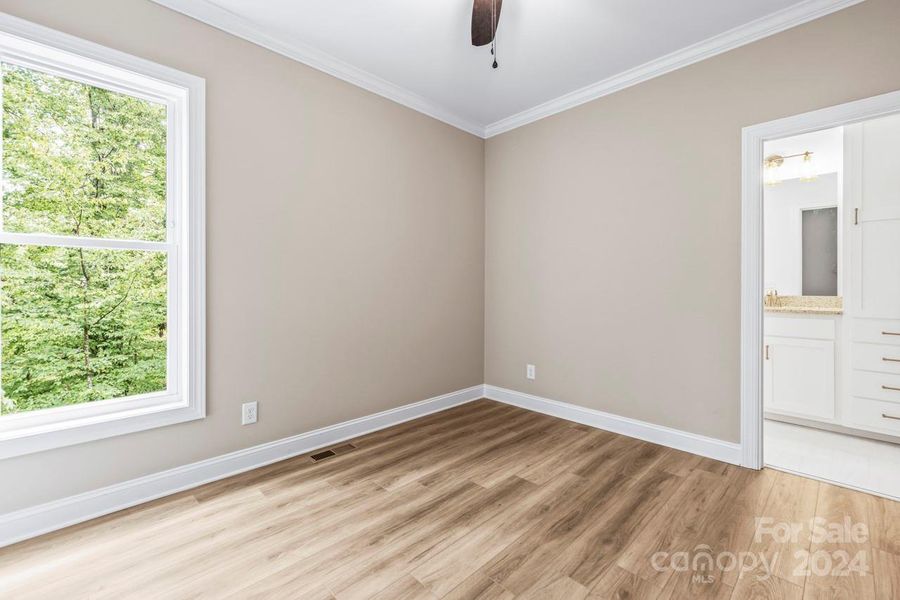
[(229, 22)]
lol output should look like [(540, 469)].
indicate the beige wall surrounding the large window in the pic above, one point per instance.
[(345, 251)]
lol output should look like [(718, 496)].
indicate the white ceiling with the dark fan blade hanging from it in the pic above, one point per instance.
[(419, 52)]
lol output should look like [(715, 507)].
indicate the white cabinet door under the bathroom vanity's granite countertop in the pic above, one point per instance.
[(799, 377)]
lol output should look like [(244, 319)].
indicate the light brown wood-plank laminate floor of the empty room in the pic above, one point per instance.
[(480, 501)]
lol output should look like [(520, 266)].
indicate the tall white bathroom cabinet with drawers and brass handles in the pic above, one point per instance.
[(872, 300)]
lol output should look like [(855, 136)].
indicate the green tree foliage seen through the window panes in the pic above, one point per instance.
[(80, 325)]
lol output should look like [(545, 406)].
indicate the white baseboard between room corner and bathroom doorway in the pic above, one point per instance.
[(680, 440)]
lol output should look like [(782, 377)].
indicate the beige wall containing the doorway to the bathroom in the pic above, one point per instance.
[(613, 229)]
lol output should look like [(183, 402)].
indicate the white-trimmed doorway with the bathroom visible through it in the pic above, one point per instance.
[(820, 364)]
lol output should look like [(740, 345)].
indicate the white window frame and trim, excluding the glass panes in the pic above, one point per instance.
[(36, 47)]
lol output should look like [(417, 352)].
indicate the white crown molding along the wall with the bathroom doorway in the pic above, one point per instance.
[(729, 40)]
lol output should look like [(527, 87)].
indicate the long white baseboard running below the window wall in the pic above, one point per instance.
[(30, 522)]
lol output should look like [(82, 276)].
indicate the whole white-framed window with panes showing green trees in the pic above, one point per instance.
[(101, 242)]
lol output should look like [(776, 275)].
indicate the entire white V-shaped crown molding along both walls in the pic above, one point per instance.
[(215, 16)]
